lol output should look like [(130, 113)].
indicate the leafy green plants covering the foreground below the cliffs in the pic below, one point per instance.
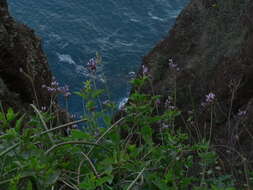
[(143, 150)]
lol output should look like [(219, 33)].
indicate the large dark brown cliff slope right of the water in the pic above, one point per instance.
[(212, 45)]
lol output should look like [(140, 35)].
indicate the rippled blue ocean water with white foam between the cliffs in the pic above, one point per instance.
[(122, 31)]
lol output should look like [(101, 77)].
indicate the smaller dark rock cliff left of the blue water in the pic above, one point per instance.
[(23, 65)]
